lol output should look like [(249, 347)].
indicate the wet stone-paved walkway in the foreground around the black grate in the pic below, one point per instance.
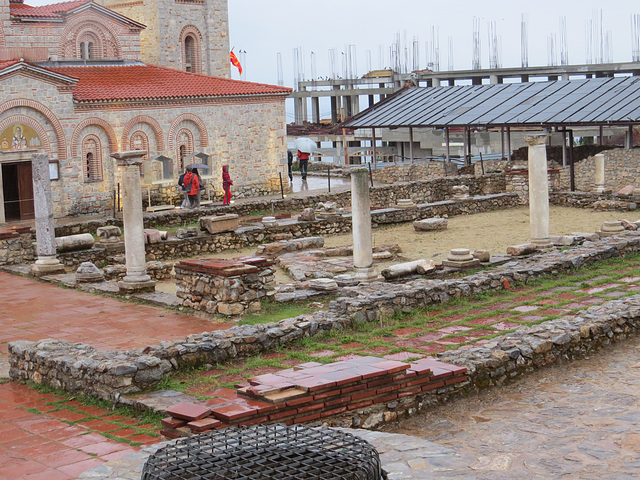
[(580, 422)]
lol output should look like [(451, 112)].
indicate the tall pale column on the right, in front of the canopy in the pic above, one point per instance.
[(538, 191)]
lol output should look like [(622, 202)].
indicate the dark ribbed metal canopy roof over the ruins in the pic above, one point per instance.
[(596, 101)]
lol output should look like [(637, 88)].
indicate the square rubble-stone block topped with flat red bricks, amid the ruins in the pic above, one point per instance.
[(227, 287)]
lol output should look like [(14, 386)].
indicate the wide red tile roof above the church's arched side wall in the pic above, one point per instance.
[(150, 82)]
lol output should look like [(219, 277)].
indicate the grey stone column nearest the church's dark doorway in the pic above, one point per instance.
[(47, 262)]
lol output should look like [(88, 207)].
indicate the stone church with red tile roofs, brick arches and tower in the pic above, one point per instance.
[(82, 79)]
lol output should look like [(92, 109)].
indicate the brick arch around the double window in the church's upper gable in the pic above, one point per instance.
[(109, 46)]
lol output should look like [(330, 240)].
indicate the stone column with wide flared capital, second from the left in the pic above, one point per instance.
[(136, 278)]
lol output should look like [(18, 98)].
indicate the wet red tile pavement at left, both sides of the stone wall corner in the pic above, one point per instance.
[(36, 440)]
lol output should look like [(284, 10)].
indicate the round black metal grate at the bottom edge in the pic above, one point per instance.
[(266, 452)]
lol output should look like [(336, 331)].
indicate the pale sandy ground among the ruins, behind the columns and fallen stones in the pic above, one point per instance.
[(493, 231)]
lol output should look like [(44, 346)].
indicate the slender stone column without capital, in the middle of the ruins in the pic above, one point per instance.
[(361, 224)]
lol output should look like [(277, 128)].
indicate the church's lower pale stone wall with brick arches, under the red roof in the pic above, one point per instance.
[(254, 149)]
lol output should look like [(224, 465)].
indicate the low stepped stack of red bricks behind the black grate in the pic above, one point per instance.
[(312, 391)]
